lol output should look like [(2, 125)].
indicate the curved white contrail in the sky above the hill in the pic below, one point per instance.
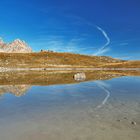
[(104, 47)]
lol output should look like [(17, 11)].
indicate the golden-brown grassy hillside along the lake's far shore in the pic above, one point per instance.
[(53, 59)]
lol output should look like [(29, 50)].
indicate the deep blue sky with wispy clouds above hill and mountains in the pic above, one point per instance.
[(94, 27)]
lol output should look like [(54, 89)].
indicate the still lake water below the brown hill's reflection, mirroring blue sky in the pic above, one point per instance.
[(95, 109)]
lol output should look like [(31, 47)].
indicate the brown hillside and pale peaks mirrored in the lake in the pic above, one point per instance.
[(18, 83)]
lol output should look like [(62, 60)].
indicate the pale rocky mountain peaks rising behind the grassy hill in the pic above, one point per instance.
[(17, 46)]
